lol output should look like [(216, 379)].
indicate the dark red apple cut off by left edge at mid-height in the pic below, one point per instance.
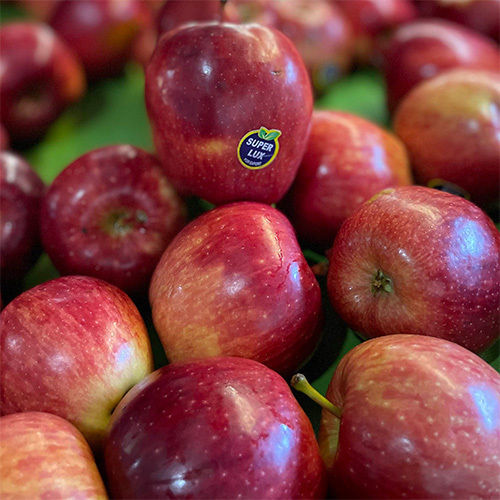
[(21, 192)]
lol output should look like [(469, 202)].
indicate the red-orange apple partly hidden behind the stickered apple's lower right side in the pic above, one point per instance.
[(347, 161)]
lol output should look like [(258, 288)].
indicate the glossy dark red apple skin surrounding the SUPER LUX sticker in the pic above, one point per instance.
[(207, 86)]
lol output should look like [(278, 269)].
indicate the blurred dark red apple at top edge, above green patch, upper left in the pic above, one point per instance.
[(101, 32)]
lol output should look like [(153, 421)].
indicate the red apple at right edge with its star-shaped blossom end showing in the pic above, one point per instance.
[(441, 253)]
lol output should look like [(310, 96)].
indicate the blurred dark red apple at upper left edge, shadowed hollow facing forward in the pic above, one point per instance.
[(41, 77)]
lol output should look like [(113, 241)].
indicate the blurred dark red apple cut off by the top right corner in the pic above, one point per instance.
[(479, 15)]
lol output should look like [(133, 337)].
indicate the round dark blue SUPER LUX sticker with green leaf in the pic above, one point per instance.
[(258, 148)]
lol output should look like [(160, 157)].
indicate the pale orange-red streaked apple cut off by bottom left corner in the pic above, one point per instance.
[(44, 456)]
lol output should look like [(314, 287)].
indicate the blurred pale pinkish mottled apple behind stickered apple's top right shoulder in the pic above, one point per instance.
[(318, 30)]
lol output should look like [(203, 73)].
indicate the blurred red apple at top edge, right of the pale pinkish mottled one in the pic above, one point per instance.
[(372, 18)]
